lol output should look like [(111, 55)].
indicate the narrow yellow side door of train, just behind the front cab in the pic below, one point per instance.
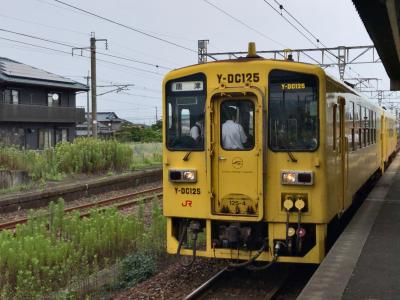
[(343, 154)]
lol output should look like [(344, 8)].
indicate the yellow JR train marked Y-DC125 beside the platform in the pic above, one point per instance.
[(260, 156)]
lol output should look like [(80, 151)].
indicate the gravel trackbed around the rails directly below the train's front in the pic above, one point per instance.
[(175, 282)]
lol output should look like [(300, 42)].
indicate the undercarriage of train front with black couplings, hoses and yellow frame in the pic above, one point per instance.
[(247, 241)]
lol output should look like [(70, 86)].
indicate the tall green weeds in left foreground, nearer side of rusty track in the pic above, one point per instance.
[(55, 254)]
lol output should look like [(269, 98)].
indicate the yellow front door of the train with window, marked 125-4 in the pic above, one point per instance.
[(237, 160)]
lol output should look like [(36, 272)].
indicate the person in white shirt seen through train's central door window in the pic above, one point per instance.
[(233, 135)]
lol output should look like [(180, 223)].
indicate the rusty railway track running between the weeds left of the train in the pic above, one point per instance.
[(120, 202)]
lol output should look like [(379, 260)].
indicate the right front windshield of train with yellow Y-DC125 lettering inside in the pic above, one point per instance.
[(293, 111)]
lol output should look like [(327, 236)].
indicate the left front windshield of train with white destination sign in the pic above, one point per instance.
[(185, 114)]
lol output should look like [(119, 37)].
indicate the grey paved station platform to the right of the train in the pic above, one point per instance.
[(364, 263)]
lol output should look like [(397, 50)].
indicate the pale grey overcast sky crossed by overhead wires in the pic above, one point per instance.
[(334, 22)]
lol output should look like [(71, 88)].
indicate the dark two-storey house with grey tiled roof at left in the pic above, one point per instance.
[(37, 108)]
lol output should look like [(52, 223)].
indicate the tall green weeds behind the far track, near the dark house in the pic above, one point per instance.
[(83, 156)]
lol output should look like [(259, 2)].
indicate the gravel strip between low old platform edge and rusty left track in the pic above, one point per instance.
[(7, 217)]
